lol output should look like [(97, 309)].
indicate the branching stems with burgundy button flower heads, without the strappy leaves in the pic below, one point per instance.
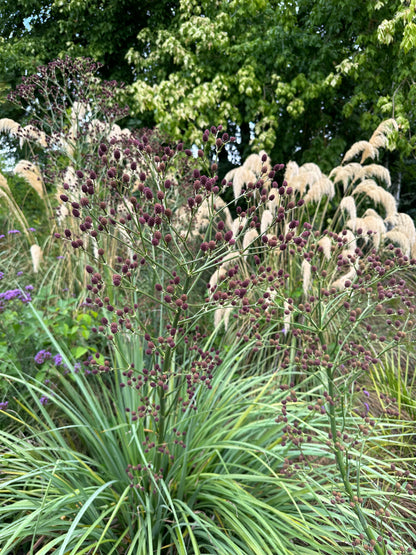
[(154, 294)]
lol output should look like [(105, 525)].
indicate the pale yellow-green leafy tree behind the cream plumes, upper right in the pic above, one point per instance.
[(309, 76)]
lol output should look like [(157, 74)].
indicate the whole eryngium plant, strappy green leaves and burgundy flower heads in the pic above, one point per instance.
[(304, 405)]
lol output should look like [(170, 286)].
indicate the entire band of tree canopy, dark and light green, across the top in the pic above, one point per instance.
[(303, 79)]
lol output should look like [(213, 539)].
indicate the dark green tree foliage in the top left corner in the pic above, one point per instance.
[(35, 32)]
